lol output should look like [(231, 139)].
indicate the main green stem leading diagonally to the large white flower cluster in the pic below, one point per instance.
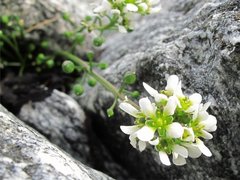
[(105, 83)]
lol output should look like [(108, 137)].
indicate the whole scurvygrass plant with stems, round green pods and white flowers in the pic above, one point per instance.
[(174, 124)]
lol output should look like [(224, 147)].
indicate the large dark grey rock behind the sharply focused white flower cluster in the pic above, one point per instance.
[(199, 41)]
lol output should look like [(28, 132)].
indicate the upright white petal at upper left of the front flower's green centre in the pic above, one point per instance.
[(147, 107)]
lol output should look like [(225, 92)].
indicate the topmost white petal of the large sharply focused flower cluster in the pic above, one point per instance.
[(174, 86)]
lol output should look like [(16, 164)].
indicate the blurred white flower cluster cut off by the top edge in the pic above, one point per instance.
[(123, 9)]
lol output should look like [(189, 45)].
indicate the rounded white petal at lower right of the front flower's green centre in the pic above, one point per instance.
[(175, 130)]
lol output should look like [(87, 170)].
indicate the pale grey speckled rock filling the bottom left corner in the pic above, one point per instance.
[(25, 154)]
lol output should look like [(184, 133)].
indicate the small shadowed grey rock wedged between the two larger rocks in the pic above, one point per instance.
[(61, 120)]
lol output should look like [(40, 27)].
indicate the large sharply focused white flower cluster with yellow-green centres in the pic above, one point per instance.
[(174, 123)]
